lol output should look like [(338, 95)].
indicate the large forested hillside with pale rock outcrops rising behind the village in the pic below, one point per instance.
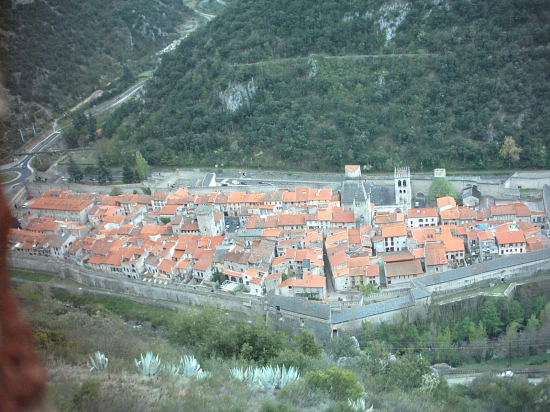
[(318, 84)]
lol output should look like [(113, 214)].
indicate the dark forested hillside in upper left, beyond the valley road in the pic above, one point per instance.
[(56, 53)]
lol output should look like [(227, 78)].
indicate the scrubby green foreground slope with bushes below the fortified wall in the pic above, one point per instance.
[(68, 329)]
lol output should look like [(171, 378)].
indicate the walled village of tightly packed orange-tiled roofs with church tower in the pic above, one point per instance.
[(312, 243)]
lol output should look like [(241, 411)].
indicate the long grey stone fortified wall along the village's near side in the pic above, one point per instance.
[(322, 318)]
